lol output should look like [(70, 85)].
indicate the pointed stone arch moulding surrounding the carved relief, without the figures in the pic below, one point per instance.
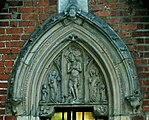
[(93, 38)]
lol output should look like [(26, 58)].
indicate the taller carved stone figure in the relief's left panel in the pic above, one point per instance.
[(53, 82)]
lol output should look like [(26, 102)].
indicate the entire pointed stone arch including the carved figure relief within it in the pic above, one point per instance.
[(78, 47)]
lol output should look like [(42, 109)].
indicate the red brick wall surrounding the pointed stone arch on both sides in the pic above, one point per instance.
[(20, 18)]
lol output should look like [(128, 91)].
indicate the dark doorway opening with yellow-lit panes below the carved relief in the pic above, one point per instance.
[(74, 113)]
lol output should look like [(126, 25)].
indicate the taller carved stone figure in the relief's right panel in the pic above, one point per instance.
[(93, 84)]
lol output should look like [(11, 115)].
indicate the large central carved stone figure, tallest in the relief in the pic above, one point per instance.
[(74, 68)]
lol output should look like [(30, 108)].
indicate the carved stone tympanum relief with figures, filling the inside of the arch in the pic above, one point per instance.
[(73, 78)]
